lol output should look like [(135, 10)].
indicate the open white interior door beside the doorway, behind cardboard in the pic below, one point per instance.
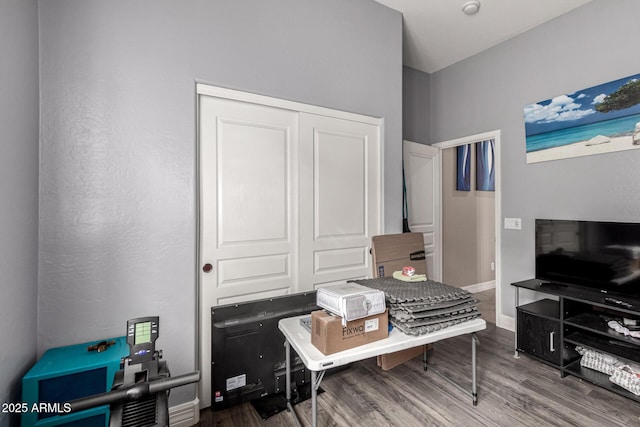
[(422, 176)]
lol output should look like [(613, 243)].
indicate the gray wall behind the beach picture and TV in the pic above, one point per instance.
[(594, 44)]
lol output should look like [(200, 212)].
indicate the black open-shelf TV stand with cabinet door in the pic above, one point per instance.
[(550, 329)]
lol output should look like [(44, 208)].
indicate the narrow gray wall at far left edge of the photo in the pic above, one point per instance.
[(19, 194)]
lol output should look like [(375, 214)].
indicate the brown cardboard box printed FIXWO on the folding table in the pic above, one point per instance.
[(329, 336)]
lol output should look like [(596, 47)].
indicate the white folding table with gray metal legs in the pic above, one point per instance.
[(299, 338)]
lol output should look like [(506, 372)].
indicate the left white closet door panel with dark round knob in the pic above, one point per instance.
[(248, 209)]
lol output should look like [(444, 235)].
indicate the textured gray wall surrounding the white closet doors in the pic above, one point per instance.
[(118, 173)]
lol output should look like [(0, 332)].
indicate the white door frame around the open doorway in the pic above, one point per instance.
[(501, 321)]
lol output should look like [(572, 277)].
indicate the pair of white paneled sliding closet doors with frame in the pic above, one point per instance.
[(289, 198)]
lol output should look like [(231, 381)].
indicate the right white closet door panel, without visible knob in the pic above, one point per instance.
[(340, 198)]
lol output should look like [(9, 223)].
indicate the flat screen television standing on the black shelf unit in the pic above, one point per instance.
[(604, 256)]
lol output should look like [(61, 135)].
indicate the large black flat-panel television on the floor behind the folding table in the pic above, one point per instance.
[(248, 354)]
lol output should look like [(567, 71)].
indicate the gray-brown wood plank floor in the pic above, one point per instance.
[(512, 392)]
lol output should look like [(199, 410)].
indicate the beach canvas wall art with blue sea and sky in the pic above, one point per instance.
[(600, 119)]
